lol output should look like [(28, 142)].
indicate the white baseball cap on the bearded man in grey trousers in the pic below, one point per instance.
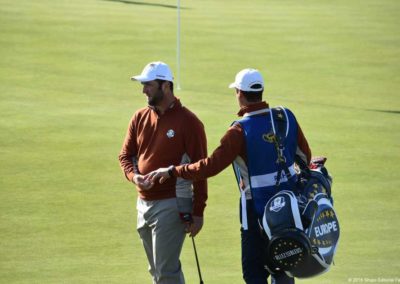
[(153, 71)]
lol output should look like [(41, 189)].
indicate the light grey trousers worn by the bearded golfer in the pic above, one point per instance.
[(162, 234)]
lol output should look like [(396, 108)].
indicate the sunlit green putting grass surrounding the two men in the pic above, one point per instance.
[(67, 213)]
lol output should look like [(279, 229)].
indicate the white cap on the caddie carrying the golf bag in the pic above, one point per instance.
[(248, 80)]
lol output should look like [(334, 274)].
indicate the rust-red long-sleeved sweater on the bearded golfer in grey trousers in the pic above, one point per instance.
[(154, 141)]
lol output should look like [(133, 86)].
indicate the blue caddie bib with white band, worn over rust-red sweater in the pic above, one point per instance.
[(262, 166)]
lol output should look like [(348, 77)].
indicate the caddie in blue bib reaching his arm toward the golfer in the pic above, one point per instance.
[(247, 146)]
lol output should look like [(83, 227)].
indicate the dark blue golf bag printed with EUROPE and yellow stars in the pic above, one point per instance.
[(303, 230)]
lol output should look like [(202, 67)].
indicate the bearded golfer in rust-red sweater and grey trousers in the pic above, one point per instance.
[(161, 134)]
